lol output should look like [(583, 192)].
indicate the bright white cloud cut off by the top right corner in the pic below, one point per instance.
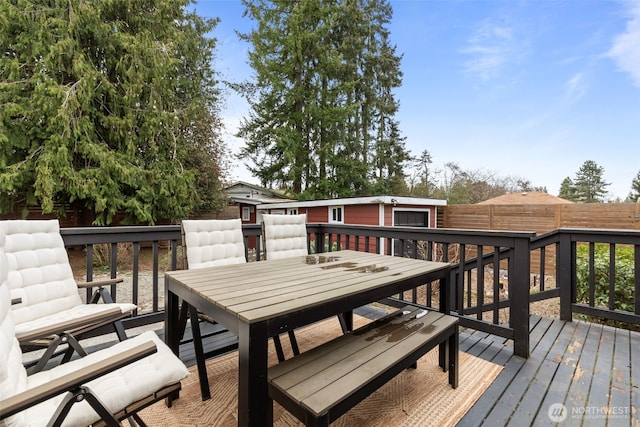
[(626, 46)]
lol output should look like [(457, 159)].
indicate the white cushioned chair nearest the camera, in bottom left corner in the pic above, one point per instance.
[(101, 388)]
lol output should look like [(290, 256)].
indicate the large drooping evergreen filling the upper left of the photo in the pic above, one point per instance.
[(108, 106)]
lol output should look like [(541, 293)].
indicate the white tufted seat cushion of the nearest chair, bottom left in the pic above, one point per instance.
[(117, 389)]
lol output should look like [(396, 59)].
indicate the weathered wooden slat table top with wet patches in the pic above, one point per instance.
[(257, 291)]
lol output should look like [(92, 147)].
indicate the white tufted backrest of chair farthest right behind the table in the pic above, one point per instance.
[(284, 235)]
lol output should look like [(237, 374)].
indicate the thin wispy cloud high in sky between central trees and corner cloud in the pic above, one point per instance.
[(492, 47)]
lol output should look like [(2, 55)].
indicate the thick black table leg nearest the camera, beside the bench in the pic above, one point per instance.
[(254, 406)]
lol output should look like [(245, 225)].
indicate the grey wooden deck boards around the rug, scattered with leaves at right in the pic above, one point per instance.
[(588, 368)]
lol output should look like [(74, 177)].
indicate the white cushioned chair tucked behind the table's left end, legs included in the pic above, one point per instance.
[(210, 243)]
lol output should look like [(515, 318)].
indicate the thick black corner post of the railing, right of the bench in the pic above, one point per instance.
[(519, 272)]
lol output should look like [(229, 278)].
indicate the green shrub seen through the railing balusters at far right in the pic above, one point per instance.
[(624, 276)]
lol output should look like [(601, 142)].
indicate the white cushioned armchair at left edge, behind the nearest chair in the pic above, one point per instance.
[(41, 279)]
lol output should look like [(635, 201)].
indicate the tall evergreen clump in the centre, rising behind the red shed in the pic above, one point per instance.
[(322, 109)]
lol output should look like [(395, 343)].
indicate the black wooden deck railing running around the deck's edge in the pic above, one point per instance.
[(492, 276)]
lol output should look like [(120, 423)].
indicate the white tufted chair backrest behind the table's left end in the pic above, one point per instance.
[(208, 243)]
